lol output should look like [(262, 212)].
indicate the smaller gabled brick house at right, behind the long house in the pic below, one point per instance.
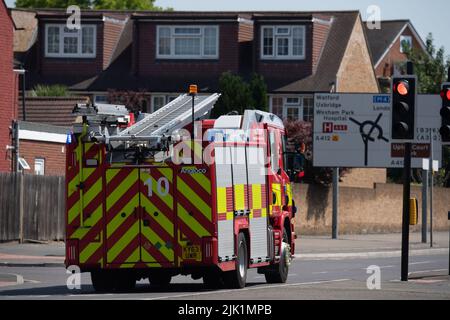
[(386, 45)]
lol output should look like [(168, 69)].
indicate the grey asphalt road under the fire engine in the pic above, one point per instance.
[(320, 279)]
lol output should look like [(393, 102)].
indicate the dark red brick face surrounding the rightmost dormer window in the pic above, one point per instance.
[(283, 72)]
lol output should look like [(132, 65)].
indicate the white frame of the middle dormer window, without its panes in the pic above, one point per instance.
[(201, 35)]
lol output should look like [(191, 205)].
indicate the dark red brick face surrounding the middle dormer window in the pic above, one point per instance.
[(148, 64)]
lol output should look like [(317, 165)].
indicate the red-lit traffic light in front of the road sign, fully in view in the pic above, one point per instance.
[(403, 107)]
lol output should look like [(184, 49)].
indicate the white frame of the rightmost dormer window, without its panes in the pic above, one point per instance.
[(276, 36)]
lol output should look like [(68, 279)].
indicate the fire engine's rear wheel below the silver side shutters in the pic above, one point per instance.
[(237, 278)]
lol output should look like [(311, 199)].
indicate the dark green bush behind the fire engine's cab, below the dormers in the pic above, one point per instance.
[(239, 95)]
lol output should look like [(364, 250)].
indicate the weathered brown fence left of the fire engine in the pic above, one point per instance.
[(31, 207)]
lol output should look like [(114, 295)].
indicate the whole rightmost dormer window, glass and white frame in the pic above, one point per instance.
[(289, 42)]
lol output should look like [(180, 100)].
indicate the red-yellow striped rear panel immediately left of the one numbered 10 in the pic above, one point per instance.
[(122, 217)]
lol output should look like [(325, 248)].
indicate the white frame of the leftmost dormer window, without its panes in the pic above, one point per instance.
[(61, 53)]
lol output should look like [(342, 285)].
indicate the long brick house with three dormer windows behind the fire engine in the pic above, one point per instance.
[(160, 53)]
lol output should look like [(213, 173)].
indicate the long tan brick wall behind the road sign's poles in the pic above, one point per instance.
[(362, 210)]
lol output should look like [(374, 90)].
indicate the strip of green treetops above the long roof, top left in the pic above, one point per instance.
[(90, 4)]
